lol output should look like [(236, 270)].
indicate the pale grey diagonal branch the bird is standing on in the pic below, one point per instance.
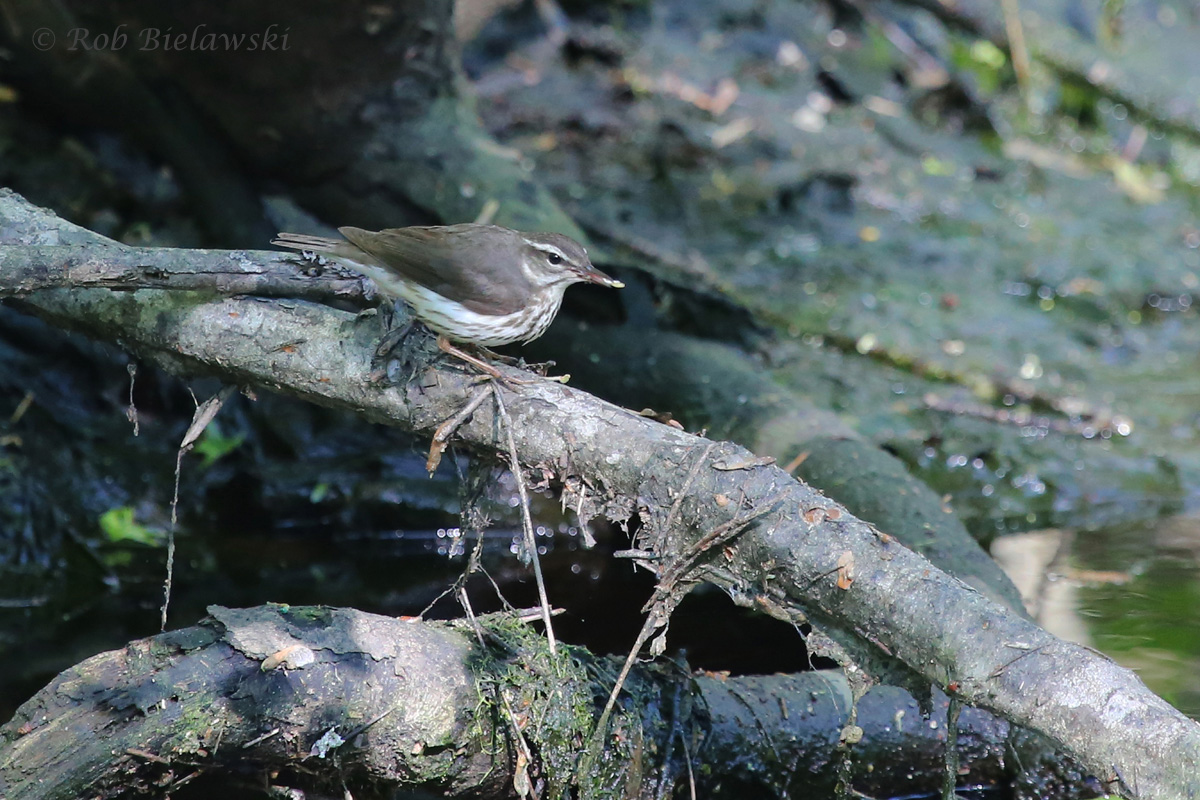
[(791, 562)]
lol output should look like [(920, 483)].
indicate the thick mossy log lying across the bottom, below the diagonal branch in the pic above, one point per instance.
[(339, 697)]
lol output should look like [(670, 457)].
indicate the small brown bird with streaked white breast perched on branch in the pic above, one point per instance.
[(470, 284)]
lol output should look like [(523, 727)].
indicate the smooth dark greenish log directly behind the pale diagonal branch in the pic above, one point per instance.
[(716, 387)]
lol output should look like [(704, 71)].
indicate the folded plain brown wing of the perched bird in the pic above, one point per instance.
[(476, 266)]
